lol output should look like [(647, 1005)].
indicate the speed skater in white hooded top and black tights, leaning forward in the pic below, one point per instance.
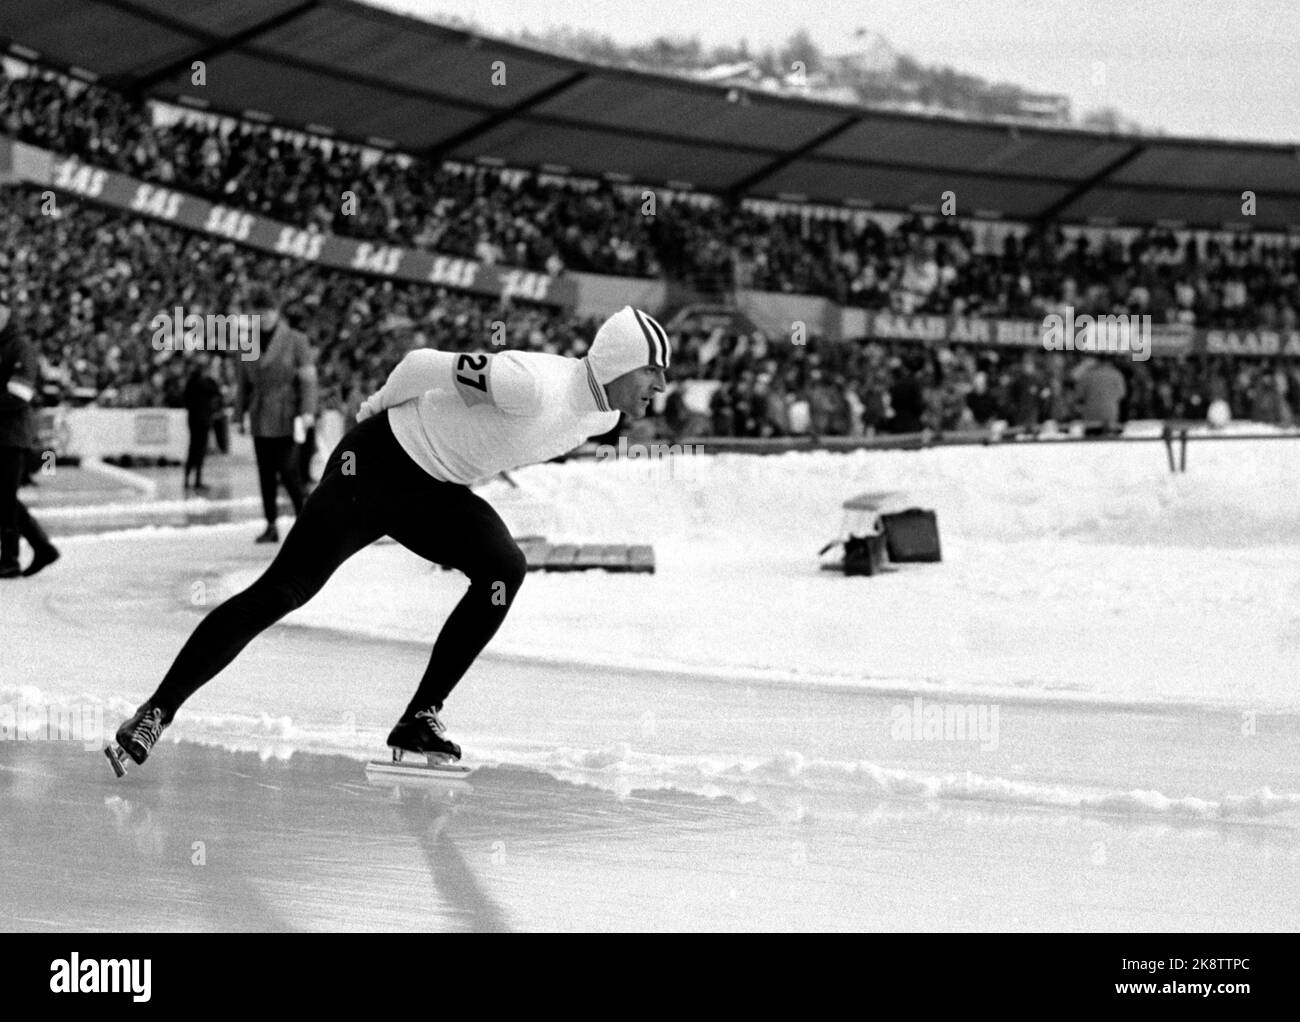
[(443, 423)]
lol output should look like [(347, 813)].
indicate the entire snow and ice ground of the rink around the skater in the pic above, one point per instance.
[(636, 774)]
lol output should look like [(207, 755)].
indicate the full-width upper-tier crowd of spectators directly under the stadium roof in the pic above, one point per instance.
[(545, 223)]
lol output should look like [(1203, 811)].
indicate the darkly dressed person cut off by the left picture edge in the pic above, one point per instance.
[(19, 375)]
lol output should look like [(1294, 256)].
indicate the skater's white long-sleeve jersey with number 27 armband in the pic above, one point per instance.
[(466, 418)]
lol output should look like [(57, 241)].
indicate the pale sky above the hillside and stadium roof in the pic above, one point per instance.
[(1189, 68)]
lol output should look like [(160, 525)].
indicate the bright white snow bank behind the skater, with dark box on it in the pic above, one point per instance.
[(1081, 571)]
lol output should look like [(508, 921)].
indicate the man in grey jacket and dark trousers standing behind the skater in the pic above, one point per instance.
[(275, 391)]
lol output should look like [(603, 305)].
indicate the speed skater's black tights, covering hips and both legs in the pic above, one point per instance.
[(370, 488)]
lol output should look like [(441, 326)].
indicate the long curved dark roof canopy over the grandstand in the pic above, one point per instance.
[(354, 72)]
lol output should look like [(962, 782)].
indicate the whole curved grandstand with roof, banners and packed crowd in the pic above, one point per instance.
[(826, 270)]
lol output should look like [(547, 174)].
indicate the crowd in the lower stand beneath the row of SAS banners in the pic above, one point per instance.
[(86, 284)]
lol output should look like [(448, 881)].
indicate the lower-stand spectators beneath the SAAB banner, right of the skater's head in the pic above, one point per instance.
[(870, 388)]
